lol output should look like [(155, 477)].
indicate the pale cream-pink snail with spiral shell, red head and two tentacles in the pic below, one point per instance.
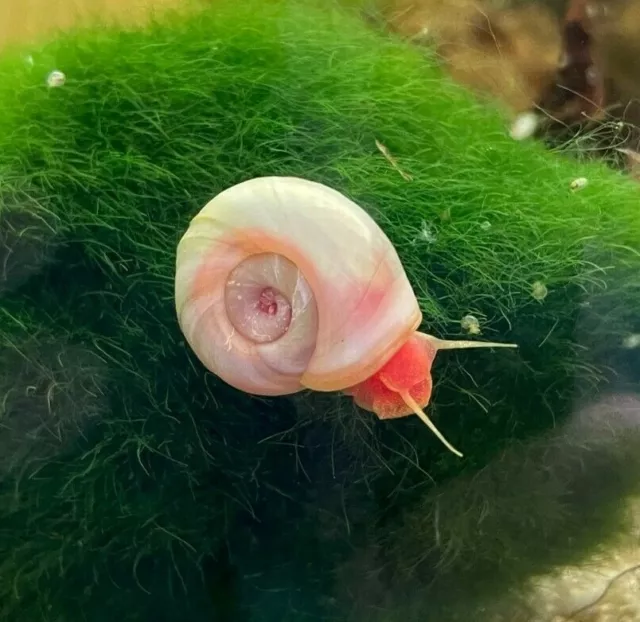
[(284, 284)]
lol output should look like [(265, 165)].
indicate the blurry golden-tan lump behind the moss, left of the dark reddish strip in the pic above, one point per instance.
[(508, 54)]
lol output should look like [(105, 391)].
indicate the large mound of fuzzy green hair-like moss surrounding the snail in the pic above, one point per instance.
[(170, 479)]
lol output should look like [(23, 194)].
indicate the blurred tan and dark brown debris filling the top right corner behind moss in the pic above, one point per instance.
[(576, 62)]
